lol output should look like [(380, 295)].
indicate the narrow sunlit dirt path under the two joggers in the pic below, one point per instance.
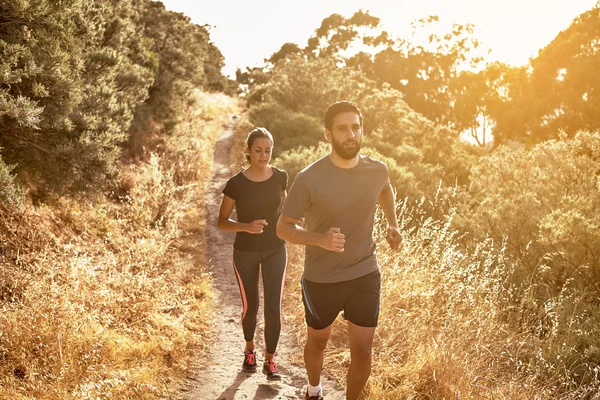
[(224, 379)]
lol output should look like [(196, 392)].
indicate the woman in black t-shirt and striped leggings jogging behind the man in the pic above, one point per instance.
[(257, 193)]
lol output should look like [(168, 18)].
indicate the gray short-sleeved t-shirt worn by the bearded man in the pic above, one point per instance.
[(329, 196)]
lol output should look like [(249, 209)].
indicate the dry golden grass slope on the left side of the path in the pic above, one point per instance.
[(109, 299)]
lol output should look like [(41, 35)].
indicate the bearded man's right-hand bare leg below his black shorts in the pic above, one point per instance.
[(361, 341)]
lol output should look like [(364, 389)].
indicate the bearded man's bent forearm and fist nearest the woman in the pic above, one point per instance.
[(289, 230)]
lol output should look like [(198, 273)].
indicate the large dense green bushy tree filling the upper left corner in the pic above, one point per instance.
[(54, 127)]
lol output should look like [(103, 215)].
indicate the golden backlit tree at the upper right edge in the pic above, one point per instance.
[(562, 85)]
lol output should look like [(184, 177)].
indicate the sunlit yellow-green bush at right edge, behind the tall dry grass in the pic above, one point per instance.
[(545, 201)]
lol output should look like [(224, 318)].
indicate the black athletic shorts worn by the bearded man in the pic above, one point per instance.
[(358, 298)]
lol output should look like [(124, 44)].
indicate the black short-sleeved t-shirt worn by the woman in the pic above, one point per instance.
[(257, 200)]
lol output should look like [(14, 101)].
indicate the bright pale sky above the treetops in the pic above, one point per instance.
[(249, 31)]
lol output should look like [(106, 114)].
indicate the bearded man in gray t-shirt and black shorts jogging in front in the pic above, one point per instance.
[(338, 195)]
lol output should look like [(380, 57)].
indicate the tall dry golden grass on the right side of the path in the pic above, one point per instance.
[(454, 324)]
